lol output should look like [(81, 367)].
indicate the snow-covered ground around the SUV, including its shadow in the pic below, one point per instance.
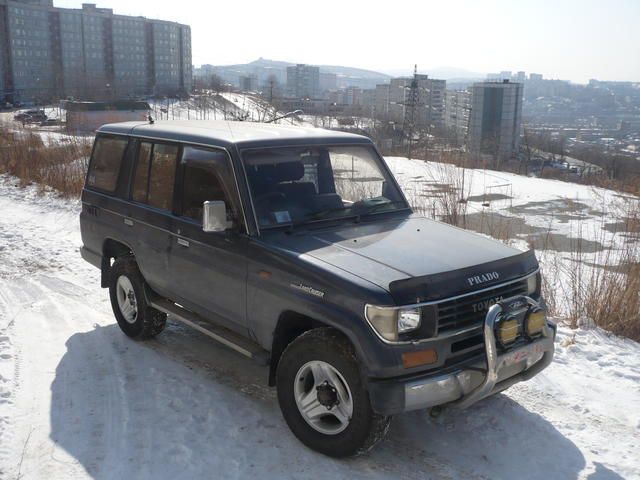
[(78, 399)]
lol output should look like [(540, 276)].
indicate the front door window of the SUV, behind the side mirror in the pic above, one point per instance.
[(208, 176)]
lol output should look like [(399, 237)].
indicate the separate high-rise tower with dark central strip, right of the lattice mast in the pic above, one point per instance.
[(496, 118)]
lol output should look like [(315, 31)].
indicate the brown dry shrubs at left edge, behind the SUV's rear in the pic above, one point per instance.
[(59, 164)]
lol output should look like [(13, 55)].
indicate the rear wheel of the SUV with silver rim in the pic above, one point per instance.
[(129, 303)]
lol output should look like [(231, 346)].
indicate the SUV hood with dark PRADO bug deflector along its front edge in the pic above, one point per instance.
[(409, 256)]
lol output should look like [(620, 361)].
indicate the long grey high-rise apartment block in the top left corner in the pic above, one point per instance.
[(48, 52)]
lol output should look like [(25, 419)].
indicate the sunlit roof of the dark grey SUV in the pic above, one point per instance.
[(226, 133)]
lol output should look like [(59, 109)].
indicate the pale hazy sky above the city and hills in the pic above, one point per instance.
[(568, 39)]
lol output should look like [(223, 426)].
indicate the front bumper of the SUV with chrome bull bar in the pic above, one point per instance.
[(465, 386)]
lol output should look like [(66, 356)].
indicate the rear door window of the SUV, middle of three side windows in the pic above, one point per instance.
[(155, 174)]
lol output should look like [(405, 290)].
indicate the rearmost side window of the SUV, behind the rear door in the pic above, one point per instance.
[(106, 162)]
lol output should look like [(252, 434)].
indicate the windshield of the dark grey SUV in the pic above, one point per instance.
[(297, 185)]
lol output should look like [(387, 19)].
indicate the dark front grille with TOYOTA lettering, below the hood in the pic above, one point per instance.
[(471, 310)]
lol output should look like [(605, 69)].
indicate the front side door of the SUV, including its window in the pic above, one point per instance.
[(209, 269)]
